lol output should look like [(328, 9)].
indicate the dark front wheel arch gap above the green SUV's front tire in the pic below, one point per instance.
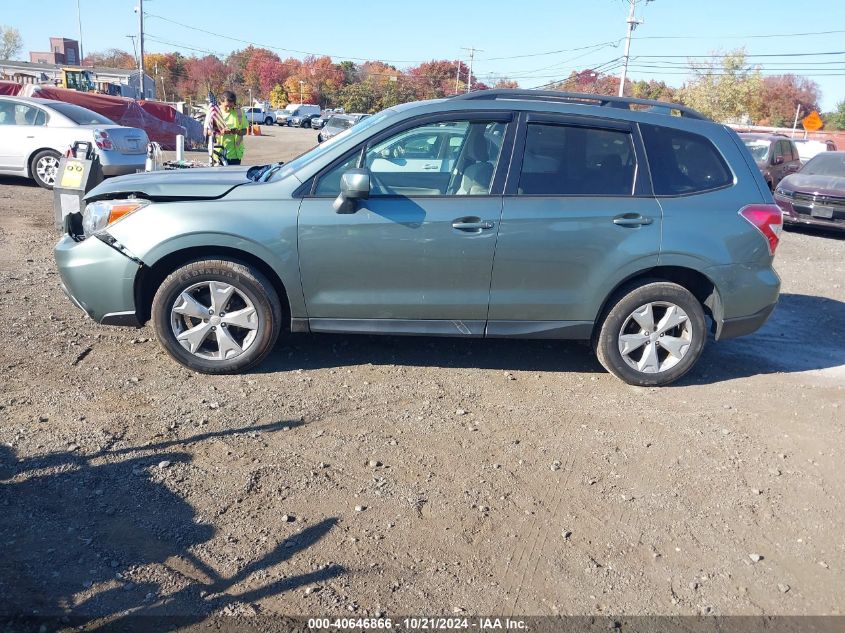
[(149, 278)]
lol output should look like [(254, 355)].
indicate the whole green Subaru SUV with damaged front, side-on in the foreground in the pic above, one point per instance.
[(500, 213)]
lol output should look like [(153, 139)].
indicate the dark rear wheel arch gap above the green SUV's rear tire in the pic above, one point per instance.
[(700, 285)]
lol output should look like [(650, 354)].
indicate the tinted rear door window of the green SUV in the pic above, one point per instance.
[(562, 160)]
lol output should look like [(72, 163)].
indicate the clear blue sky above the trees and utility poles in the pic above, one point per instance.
[(529, 40)]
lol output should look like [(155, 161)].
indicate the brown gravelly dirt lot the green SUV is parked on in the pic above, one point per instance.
[(361, 475)]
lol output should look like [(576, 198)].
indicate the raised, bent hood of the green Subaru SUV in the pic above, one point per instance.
[(196, 183)]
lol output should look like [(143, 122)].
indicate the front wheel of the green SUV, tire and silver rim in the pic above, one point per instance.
[(217, 316)]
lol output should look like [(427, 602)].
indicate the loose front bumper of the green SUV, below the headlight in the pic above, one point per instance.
[(98, 279)]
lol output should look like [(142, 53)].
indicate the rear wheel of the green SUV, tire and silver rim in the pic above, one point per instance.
[(652, 334)]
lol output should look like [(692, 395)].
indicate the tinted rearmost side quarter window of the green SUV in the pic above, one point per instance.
[(683, 163)]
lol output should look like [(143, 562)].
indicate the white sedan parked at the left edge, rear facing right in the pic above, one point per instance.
[(35, 133)]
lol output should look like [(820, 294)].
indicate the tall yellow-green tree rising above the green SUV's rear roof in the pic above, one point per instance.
[(726, 90)]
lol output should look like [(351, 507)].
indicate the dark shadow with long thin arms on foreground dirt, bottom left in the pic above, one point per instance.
[(76, 528)]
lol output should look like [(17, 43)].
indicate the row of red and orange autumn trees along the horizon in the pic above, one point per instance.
[(725, 88)]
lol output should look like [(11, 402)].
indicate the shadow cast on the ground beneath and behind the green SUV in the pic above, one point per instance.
[(804, 333)]
